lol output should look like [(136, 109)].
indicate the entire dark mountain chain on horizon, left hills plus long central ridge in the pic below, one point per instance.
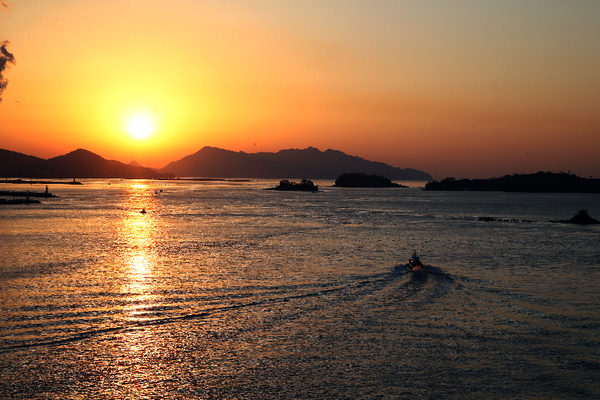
[(210, 162)]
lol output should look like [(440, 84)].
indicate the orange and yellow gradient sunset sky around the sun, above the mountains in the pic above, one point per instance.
[(455, 88)]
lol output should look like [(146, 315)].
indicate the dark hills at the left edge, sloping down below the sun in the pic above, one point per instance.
[(76, 164)]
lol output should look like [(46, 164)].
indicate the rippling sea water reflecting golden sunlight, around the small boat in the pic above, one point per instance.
[(226, 290)]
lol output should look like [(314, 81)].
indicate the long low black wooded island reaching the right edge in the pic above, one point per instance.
[(539, 182)]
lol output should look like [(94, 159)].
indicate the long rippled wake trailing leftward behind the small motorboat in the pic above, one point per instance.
[(55, 325)]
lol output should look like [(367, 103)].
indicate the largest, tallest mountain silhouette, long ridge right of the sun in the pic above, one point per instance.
[(291, 163)]
